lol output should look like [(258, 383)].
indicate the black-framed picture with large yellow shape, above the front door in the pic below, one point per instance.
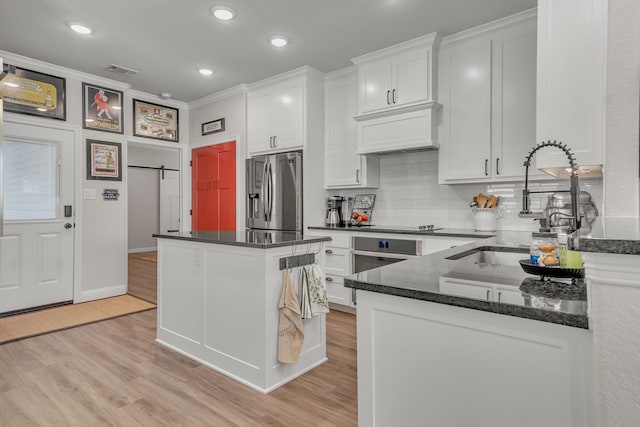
[(30, 92)]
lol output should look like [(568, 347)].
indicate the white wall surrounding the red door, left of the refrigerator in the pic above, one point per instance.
[(230, 105)]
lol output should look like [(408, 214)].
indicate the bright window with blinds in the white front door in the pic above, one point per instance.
[(30, 180)]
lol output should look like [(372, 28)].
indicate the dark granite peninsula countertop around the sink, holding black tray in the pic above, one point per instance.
[(559, 301)]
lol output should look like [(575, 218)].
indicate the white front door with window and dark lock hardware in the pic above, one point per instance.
[(36, 248)]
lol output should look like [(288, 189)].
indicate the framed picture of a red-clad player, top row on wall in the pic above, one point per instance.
[(101, 108)]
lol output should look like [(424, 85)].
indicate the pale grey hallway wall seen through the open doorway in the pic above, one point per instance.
[(143, 193)]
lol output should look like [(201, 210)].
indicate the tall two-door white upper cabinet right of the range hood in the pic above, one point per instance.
[(488, 92)]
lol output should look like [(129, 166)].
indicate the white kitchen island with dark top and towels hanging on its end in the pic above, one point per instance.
[(218, 295)]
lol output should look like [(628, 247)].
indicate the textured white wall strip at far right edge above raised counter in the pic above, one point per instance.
[(622, 187)]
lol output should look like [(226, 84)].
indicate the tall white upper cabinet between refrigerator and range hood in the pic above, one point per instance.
[(343, 167)]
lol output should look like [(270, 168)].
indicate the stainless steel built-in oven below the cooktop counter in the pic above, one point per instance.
[(372, 252)]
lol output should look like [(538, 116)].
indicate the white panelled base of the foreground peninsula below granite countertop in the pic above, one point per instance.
[(427, 364)]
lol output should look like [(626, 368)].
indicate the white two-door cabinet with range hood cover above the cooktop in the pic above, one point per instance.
[(397, 97)]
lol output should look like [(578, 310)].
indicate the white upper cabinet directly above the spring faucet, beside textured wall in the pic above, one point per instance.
[(571, 93)]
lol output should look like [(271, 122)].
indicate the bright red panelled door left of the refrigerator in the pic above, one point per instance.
[(213, 186)]
